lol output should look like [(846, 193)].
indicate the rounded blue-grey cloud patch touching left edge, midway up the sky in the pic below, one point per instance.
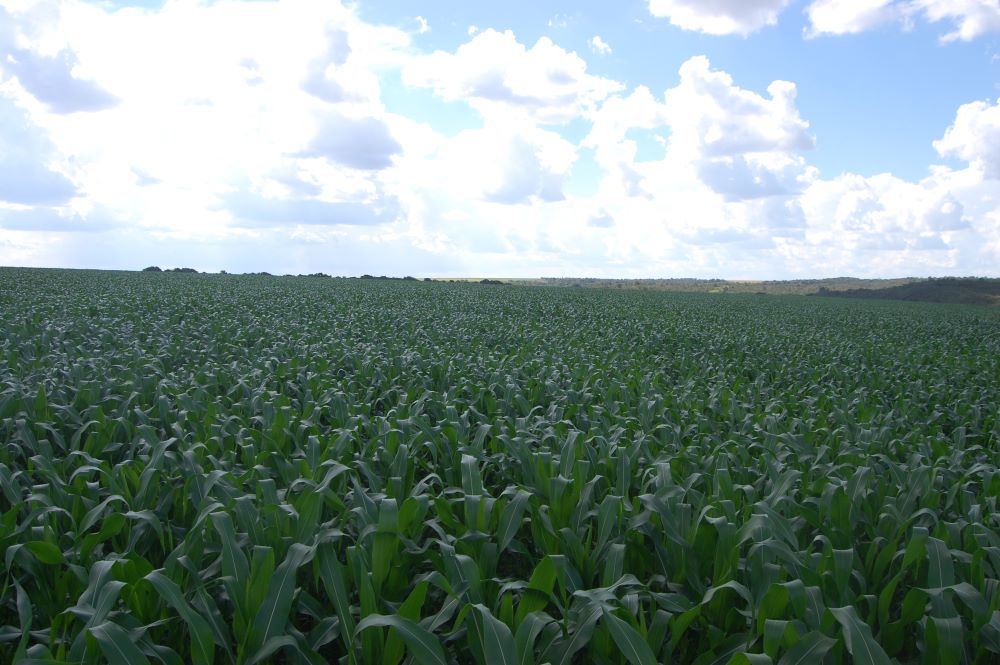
[(26, 156)]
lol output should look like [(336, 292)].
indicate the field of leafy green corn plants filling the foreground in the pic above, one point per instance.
[(211, 468)]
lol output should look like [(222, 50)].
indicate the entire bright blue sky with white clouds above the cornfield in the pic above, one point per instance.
[(739, 139)]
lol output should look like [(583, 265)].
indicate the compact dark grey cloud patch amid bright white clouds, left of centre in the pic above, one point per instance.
[(361, 143)]
